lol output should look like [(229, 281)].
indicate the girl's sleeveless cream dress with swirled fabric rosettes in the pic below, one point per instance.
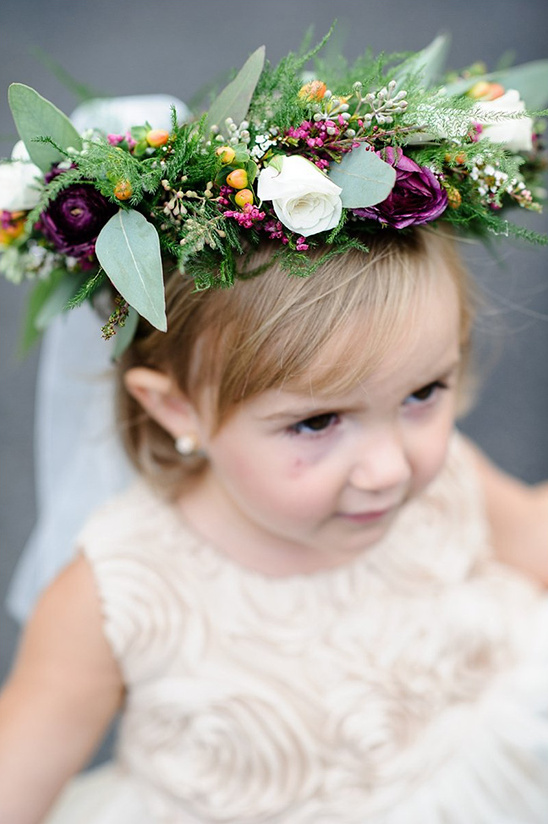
[(407, 687)]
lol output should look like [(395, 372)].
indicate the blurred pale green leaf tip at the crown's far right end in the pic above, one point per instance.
[(530, 80)]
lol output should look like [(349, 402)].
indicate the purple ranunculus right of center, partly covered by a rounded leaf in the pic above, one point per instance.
[(417, 196)]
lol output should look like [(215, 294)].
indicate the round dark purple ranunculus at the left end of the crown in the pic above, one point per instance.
[(75, 218)]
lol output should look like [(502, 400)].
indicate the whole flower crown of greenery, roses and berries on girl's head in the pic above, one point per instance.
[(327, 158)]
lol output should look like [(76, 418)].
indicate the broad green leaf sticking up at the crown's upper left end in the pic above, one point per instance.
[(35, 117)]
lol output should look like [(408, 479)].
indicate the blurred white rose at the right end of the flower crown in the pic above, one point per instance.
[(515, 133)]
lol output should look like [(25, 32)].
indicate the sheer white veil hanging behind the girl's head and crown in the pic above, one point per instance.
[(79, 461)]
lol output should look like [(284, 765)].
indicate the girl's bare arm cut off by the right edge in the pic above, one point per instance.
[(518, 517)]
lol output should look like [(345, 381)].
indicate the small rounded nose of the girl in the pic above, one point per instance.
[(381, 463)]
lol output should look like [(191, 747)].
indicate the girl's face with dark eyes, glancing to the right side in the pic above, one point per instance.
[(298, 482)]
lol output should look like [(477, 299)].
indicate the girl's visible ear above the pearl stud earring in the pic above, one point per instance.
[(161, 399)]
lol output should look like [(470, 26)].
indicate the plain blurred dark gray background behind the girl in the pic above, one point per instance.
[(149, 46)]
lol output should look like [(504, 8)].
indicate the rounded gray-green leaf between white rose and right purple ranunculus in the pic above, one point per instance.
[(364, 178)]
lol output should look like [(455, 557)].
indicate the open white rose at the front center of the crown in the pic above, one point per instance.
[(304, 199)]
